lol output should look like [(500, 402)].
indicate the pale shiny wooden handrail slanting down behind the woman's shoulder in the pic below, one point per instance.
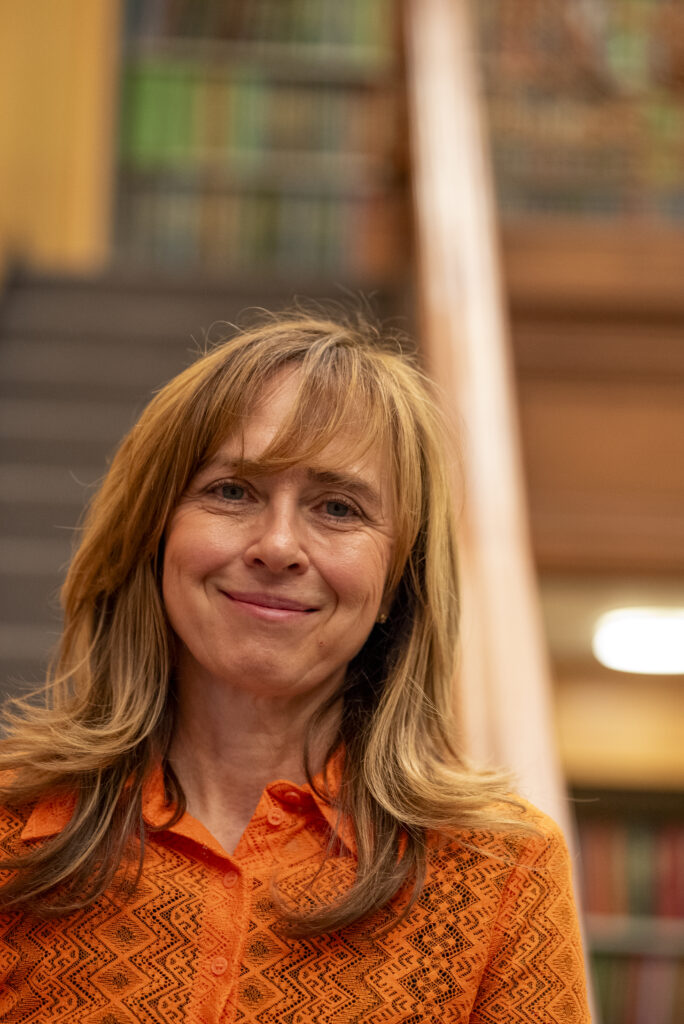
[(504, 686)]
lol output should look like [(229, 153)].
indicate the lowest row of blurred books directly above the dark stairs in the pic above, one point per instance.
[(233, 234)]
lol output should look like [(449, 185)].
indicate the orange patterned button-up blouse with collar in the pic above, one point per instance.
[(493, 941)]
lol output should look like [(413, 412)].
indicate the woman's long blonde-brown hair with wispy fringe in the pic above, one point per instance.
[(109, 712)]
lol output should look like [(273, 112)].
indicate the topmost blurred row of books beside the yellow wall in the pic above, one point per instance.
[(354, 23)]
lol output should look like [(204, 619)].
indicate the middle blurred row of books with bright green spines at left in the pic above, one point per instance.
[(180, 113)]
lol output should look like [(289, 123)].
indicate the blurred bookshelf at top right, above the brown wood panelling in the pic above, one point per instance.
[(585, 107)]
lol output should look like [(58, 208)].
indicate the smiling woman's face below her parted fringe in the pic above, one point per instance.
[(274, 582)]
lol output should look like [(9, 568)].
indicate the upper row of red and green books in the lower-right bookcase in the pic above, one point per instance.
[(633, 868)]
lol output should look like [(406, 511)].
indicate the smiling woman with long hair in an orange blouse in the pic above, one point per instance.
[(242, 800)]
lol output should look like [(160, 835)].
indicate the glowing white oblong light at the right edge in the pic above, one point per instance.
[(644, 641)]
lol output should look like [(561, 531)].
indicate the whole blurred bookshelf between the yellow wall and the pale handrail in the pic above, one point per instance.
[(262, 138)]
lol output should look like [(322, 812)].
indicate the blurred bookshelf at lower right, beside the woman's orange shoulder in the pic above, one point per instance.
[(632, 846)]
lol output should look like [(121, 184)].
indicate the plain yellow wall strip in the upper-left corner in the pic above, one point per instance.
[(58, 102)]
